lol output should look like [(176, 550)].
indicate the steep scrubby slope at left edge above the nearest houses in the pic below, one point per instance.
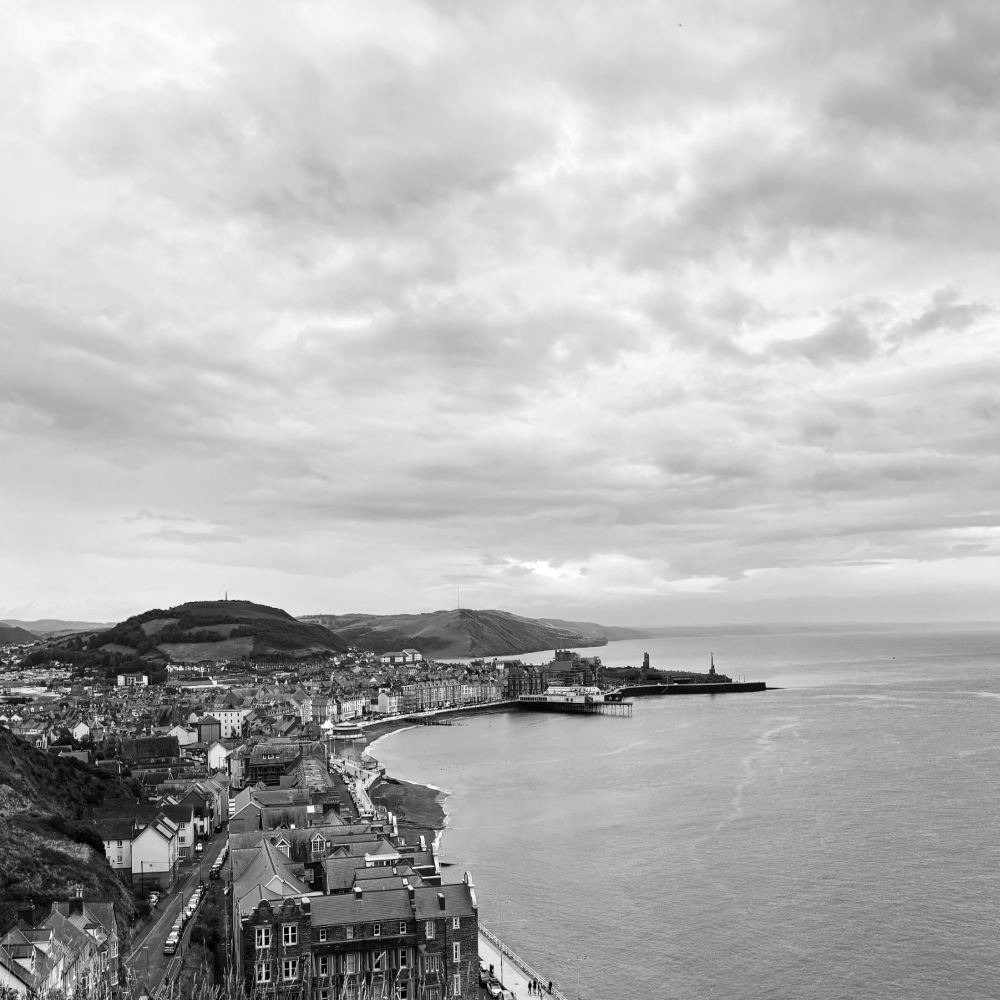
[(47, 846)]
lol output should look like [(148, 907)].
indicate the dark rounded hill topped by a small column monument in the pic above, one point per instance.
[(216, 630)]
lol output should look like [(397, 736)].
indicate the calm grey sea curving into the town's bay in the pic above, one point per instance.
[(837, 836)]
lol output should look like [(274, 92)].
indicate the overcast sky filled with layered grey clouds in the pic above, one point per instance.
[(640, 313)]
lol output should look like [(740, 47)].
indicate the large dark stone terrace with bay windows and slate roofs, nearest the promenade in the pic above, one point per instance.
[(348, 910)]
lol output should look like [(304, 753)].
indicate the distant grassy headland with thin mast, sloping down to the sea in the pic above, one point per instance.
[(454, 633)]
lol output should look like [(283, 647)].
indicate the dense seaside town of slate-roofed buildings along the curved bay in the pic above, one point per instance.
[(256, 848)]
